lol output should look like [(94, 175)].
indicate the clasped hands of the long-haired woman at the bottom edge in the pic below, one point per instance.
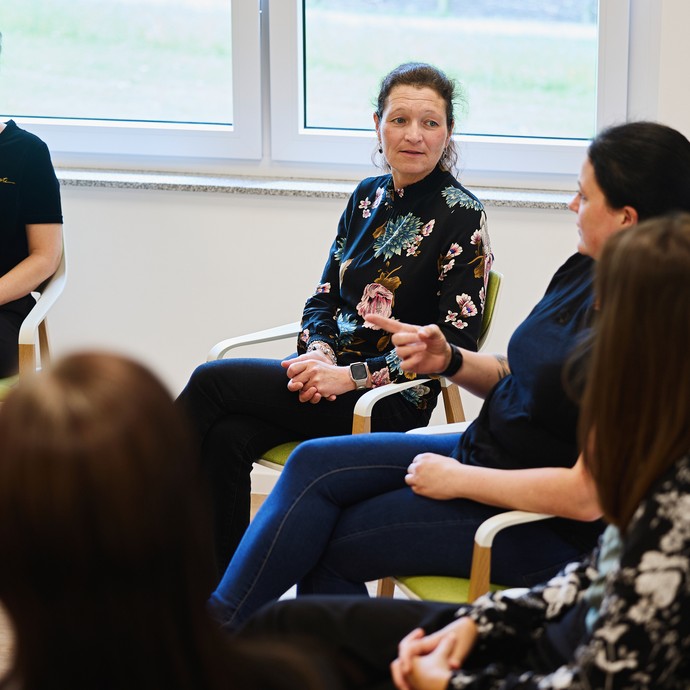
[(427, 662)]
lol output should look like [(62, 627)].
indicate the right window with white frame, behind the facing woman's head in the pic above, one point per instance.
[(507, 135)]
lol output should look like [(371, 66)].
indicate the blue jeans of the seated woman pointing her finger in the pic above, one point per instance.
[(341, 515)]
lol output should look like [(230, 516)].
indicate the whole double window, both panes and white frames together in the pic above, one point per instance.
[(274, 85)]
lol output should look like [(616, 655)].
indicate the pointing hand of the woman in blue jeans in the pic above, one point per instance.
[(422, 349)]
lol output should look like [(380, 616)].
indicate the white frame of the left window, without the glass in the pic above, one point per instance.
[(89, 142)]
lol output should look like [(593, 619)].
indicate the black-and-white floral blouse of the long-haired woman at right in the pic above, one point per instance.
[(635, 631)]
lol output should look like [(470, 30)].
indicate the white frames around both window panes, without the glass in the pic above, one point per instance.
[(267, 136)]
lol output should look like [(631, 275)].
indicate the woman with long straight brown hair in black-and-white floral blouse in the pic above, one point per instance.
[(620, 619)]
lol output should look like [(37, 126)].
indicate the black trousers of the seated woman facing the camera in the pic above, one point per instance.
[(239, 408)]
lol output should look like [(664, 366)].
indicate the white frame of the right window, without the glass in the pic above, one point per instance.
[(498, 160)]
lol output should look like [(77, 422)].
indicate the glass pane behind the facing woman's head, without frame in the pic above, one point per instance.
[(527, 69)]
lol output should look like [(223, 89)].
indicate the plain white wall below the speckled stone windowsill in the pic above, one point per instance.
[(164, 275)]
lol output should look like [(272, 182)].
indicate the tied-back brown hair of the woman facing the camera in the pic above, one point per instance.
[(421, 74)]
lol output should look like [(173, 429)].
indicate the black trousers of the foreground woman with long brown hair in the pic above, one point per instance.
[(356, 638)]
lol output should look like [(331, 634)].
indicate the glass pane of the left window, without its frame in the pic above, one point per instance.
[(149, 61)]
